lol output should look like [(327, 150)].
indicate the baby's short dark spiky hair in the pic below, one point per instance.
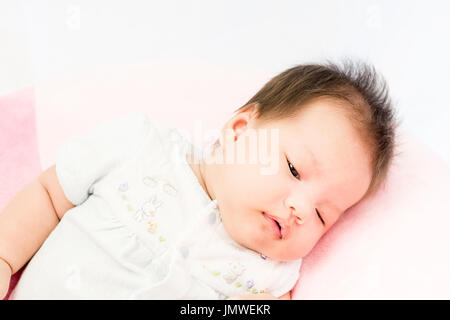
[(365, 96)]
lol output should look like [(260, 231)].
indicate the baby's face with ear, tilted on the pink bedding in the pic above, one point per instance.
[(321, 169)]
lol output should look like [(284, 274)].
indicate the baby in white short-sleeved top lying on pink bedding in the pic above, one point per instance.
[(135, 211)]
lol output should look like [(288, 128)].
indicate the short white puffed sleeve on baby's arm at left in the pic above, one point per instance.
[(83, 160)]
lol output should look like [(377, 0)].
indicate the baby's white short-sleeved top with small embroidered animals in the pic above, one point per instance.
[(142, 226)]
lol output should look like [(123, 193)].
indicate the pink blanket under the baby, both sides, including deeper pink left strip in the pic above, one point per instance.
[(392, 246)]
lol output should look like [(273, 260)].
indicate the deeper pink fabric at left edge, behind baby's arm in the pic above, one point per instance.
[(19, 155)]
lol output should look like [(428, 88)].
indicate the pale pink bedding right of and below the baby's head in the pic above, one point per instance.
[(394, 245)]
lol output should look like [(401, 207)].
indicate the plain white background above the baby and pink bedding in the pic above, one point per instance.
[(406, 40)]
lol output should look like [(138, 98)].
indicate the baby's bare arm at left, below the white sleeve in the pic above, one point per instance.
[(26, 222)]
